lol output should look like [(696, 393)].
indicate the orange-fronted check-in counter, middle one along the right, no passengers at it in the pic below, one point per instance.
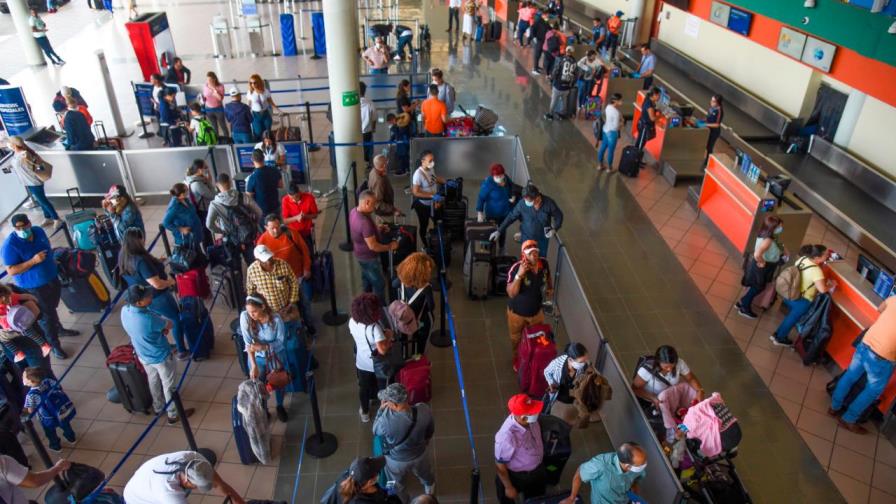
[(736, 206)]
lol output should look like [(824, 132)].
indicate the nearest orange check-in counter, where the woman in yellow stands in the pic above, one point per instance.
[(855, 308)]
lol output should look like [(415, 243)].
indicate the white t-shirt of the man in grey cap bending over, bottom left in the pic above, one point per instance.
[(148, 487)]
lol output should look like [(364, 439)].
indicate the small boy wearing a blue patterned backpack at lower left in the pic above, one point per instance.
[(53, 406)]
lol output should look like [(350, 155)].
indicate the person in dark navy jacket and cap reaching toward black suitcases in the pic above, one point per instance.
[(539, 217)]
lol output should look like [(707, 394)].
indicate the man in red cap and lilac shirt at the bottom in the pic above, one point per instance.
[(519, 452)]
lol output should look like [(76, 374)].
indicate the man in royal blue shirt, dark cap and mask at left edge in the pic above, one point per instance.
[(28, 257)]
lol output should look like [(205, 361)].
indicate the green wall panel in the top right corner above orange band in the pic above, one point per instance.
[(840, 23)]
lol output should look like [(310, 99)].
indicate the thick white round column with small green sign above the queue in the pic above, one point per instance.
[(341, 25)]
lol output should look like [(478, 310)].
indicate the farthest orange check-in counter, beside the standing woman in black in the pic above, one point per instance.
[(681, 147)]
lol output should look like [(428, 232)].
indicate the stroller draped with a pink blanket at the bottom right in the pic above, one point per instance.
[(713, 479)]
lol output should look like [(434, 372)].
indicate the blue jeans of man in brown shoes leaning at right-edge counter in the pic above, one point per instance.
[(878, 369)]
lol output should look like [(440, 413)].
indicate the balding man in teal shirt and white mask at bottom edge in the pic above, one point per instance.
[(611, 475)]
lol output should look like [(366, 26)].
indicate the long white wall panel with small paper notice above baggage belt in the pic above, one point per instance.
[(771, 76)]
